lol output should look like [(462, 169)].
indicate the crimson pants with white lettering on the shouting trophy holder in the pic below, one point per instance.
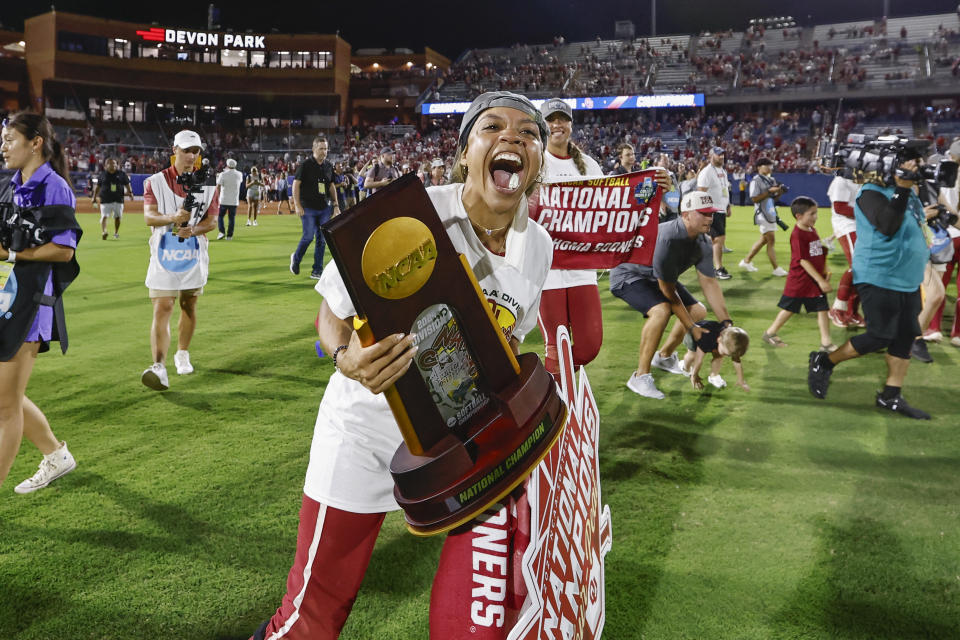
[(477, 592)]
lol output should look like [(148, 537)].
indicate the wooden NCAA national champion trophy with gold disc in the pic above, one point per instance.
[(475, 419)]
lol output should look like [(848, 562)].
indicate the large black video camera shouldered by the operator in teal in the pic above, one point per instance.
[(864, 159)]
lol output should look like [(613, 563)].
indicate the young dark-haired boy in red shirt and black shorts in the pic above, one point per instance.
[(808, 279)]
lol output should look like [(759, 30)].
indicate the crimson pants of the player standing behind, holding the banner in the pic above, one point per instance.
[(578, 309)]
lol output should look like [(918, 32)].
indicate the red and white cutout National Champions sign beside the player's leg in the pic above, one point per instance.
[(570, 532)]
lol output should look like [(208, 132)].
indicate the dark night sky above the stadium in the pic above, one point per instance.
[(451, 27)]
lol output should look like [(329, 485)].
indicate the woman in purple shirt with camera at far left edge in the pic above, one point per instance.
[(35, 268)]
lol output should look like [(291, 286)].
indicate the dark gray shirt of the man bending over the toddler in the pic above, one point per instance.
[(675, 252)]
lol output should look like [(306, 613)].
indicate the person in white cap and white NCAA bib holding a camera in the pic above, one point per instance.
[(179, 257)]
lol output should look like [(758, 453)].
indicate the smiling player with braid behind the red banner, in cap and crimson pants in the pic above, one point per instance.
[(570, 296)]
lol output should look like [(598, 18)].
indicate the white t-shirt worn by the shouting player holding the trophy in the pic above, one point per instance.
[(355, 435)]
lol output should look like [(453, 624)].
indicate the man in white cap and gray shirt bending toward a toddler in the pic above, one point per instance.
[(655, 291)]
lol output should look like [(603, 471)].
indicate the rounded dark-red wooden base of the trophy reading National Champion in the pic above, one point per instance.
[(456, 480)]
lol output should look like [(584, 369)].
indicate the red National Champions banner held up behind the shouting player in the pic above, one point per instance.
[(602, 222)]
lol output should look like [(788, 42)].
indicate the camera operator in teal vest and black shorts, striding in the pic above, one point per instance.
[(888, 268)]
